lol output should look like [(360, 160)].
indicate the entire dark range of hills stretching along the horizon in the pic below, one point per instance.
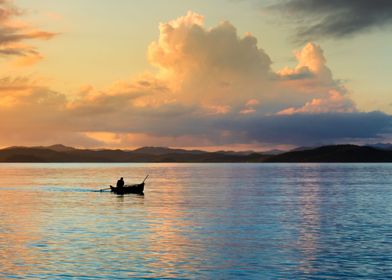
[(61, 153)]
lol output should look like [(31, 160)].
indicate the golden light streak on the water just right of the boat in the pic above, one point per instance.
[(168, 240)]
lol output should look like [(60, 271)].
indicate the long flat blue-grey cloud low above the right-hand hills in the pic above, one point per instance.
[(308, 129)]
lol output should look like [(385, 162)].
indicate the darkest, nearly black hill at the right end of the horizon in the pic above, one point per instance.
[(336, 153)]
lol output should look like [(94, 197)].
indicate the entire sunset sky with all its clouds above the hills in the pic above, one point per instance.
[(223, 74)]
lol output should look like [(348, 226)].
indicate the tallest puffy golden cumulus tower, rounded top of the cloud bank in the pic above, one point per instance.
[(194, 60)]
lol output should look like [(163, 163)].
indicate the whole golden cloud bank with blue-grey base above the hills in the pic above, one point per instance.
[(212, 87)]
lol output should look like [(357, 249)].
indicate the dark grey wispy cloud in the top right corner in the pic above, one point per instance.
[(336, 18)]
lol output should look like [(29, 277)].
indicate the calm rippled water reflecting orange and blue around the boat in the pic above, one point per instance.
[(197, 221)]
